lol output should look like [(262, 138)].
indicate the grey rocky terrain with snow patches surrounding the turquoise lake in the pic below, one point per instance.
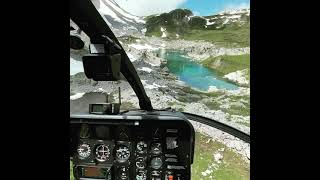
[(163, 88)]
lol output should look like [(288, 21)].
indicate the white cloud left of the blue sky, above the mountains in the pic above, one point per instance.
[(148, 7)]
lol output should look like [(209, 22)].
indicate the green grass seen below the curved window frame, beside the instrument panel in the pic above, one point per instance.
[(232, 166)]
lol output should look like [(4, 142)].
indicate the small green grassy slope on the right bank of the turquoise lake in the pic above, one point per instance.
[(227, 64)]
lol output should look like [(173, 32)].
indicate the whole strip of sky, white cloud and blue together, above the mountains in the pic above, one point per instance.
[(199, 7)]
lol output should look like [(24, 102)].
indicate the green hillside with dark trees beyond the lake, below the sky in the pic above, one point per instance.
[(181, 22)]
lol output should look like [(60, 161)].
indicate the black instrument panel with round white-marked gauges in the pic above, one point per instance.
[(129, 150)]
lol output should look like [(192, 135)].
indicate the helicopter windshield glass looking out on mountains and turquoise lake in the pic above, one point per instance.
[(191, 57)]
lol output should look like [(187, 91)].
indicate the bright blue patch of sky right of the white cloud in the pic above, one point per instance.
[(209, 7)]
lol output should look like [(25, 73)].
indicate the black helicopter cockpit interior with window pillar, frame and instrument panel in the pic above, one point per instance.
[(107, 143)]
